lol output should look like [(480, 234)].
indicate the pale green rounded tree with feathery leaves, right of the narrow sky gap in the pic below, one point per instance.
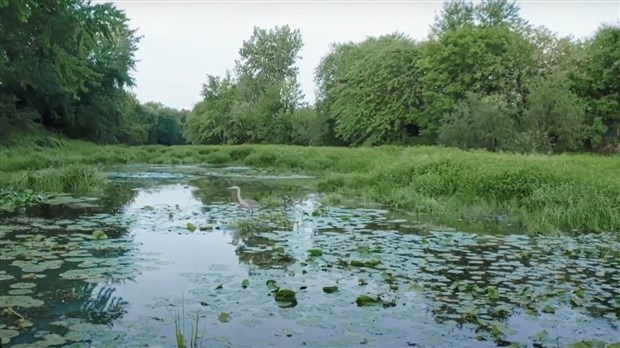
[(377, 96)]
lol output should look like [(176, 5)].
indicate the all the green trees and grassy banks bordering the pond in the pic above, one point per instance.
[(421, 126)]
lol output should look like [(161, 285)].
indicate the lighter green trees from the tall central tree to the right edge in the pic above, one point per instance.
[(484, 78)]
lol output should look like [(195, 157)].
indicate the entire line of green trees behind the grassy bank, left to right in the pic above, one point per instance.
[(483, 78)]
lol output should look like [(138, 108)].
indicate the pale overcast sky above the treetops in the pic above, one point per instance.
[(186, 40)]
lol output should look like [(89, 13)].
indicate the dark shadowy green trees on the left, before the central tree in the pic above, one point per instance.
[(66, 64)]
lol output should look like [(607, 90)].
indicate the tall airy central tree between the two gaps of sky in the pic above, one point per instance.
[(257, 102)]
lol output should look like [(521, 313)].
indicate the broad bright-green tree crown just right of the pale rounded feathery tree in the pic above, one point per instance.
[(482, 60)]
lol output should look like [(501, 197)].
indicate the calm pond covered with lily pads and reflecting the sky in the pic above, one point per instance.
[(171, 241)]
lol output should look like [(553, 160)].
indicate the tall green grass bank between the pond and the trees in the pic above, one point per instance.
[(533, 193)]
